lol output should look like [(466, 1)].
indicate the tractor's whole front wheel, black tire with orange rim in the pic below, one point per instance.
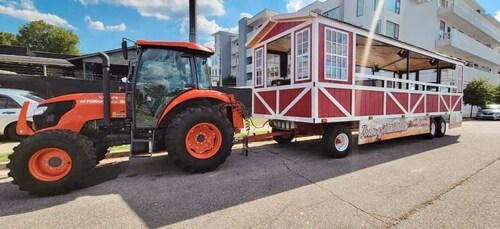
[(52, 162)]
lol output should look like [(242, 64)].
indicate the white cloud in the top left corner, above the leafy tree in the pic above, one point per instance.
[(25, 10)]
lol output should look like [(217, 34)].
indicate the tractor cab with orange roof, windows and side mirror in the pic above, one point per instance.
[(163, 71)]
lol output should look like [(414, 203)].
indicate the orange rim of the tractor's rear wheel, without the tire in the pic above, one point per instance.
[(203, 140)]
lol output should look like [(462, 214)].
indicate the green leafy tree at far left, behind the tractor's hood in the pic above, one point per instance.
[(40, 36)]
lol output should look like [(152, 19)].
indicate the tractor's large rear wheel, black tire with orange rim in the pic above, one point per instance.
[(199, 139)]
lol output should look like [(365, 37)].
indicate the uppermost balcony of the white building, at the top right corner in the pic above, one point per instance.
[(471, 22)]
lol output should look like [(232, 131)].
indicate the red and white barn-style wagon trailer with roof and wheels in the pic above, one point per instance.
[(314, 75)]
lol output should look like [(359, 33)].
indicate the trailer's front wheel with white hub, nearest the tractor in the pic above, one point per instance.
[(337, 141)]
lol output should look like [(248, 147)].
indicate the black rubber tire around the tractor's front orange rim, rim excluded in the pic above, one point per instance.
[(18, 170)]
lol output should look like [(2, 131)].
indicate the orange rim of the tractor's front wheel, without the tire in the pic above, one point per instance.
[(50, 164)]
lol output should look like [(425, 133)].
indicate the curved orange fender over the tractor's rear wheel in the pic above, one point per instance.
[(192, 95)]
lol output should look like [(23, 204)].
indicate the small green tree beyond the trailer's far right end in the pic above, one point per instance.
[(479, 93)]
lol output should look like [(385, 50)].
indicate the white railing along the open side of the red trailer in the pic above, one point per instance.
[(412, 85)]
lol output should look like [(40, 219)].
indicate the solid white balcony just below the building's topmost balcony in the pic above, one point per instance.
[(460, 45)]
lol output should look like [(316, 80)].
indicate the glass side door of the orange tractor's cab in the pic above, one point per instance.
[(162, 74)]
